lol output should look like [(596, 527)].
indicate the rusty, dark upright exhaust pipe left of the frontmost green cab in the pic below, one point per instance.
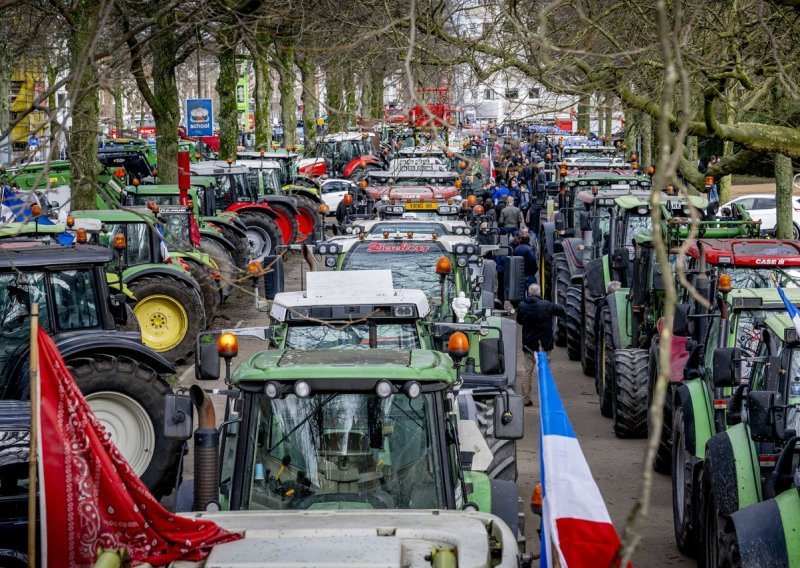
[(206, 453)]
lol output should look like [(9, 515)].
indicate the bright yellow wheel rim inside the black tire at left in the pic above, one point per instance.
[(163, 322)]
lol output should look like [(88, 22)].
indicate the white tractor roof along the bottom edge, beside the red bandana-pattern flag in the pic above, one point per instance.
[(328, 539)]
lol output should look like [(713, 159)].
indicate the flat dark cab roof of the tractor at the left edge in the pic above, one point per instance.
[(31, 253)]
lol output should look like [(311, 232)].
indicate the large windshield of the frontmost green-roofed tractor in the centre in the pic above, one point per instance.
[(345, 451)]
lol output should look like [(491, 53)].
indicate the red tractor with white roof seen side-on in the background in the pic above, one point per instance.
[(349, 155)]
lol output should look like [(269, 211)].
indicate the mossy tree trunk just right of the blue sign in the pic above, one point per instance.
[(226, 90)]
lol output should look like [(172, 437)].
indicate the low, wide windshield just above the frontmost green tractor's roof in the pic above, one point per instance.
[(352, 336)]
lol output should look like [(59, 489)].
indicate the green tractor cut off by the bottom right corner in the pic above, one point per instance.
[(750, 486)]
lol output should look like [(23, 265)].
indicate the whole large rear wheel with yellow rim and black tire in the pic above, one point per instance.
[(170, 315)]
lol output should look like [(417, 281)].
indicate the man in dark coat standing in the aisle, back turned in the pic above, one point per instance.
[(535, 315)]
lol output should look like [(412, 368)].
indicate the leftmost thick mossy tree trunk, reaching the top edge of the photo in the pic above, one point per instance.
[(85, 108)]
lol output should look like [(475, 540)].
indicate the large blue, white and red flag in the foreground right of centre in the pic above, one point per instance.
[(576, 526)]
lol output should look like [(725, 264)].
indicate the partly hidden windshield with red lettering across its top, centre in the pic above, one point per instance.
[(413, 265)]
